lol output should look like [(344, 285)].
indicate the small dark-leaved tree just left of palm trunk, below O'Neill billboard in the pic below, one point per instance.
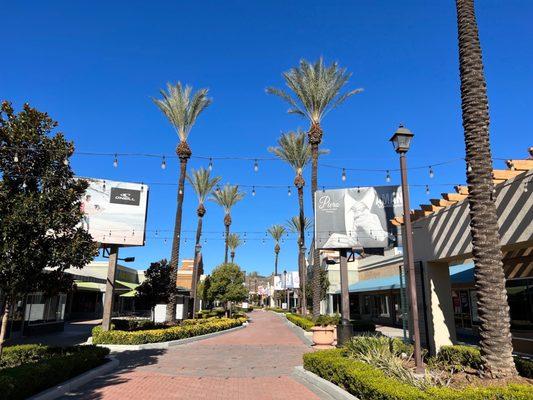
[(156, 288)]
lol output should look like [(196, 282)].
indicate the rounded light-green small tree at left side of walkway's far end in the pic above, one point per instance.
[(227, 285)]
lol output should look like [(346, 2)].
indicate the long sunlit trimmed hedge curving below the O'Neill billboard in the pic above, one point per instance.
[(185, 330)]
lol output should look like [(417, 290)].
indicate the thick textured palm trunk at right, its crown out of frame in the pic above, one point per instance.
[(493, 309)]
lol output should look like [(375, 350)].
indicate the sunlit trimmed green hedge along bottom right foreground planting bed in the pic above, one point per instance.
[(369, 383)]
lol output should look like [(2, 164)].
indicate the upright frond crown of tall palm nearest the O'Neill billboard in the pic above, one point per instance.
[(180, 109)]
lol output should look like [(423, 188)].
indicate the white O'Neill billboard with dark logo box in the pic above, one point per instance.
[(115, 212)]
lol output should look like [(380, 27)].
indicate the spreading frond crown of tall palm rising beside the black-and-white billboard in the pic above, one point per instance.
[(316, 88)]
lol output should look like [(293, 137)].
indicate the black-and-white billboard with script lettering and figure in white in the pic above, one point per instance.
[(357, 218)]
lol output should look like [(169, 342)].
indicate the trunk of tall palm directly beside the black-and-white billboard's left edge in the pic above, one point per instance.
[(315, 137)]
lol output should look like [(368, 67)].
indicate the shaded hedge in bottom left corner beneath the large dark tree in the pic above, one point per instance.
[(55, 366)]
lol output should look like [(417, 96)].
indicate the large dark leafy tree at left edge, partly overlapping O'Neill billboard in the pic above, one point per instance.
[(40, 207)]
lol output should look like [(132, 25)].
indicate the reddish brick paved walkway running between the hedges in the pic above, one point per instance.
[(251, 363)]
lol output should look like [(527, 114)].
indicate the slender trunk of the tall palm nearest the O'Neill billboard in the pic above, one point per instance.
[(184, 153)]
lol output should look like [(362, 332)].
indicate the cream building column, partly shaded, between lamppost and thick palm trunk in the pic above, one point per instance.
[(438, 317)]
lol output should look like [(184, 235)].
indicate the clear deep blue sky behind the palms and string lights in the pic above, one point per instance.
[(93, 66)]
